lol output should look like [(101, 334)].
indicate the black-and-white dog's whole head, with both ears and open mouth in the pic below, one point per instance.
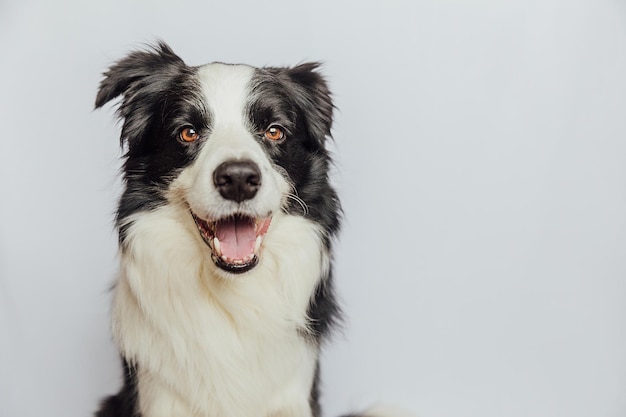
[(231, 144)]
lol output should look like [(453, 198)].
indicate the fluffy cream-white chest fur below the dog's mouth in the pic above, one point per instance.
[(210, 345)]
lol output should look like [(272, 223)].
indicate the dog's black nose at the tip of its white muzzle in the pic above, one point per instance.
[(237, 180)]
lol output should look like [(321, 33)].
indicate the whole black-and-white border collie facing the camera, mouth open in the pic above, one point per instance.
[(226, 222)]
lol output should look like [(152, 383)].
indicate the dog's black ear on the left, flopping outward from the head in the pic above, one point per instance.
[(139, 78)]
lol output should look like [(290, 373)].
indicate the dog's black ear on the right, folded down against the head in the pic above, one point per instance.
[(310, 91)]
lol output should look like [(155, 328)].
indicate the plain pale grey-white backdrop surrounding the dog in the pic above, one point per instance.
[(481, 158)]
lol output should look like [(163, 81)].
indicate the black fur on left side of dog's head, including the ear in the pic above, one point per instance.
[(160, 96)]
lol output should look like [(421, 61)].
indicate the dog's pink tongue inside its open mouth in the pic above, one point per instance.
[(237, 237)]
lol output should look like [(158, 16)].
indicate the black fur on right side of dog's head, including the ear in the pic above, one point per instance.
[(298, 99)]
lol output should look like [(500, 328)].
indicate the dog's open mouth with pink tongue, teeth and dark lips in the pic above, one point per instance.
[(235, 241)]
